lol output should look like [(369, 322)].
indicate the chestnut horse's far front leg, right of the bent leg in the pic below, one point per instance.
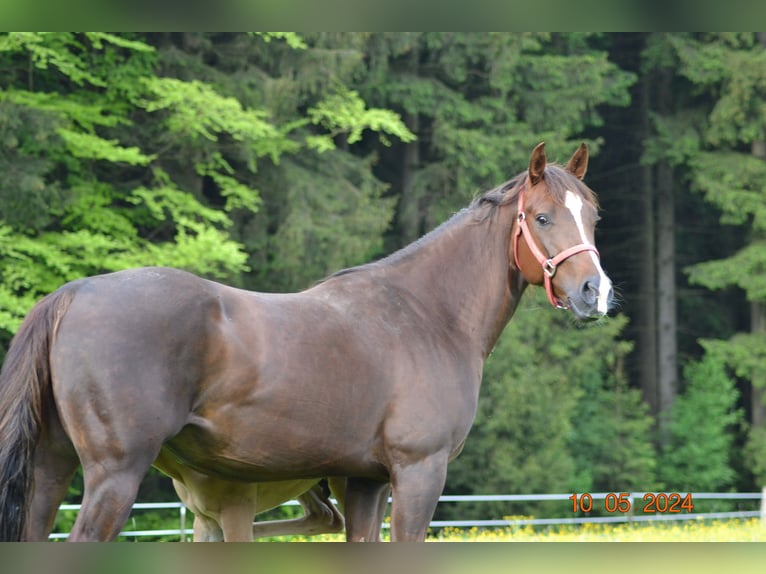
[(365, 505)]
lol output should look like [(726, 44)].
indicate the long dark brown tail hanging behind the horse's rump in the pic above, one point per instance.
[(25, 394)]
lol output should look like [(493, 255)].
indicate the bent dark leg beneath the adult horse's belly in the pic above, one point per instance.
[(319, 517)]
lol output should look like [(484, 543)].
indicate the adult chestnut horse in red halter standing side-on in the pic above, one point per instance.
[(372, 374)]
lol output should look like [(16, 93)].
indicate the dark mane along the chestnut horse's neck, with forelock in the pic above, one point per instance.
[(558, 181)]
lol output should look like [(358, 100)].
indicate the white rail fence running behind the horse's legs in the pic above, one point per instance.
[(633, 510)]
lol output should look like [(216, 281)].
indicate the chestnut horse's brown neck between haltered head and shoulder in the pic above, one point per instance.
[(462, 275)]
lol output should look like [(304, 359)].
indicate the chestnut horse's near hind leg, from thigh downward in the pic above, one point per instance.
[(117, 416)]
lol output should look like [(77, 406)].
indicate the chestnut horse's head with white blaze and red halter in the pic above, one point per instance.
[(553, 235)]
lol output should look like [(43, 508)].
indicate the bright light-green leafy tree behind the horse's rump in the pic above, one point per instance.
[(98, 202)]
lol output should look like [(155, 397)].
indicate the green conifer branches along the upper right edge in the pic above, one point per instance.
[(729, 177)]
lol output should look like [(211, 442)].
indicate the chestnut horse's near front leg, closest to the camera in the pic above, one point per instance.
[(416, 490)]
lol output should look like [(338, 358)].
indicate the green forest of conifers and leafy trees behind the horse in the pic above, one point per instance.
[(268, 161)]
